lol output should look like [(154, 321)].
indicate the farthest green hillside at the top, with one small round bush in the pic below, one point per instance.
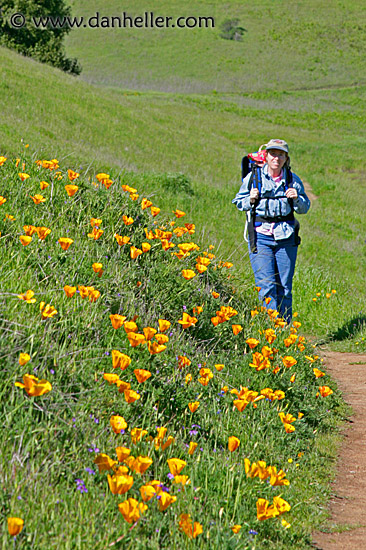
[(286, 46)]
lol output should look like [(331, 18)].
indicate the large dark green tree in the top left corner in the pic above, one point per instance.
[(43, 44)]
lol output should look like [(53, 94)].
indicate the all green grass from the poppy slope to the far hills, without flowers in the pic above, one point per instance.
[(171, 113)]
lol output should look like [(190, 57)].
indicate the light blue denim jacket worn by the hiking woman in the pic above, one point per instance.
[(270, 206)]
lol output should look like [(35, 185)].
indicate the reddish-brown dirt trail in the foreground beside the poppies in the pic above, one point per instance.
[(347, 507)]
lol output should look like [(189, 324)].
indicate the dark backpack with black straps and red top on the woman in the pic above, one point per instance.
[(252, 163)]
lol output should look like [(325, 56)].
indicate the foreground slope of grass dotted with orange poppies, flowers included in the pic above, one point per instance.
[(148, 399)]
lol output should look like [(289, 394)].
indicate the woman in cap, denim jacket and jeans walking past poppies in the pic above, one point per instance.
[(273, 229)]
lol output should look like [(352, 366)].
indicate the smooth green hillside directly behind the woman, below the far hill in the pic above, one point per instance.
[(148, 136)]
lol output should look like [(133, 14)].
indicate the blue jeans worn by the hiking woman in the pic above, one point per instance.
[(273, 266)]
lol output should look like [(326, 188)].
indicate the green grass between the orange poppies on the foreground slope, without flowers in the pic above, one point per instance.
[(49, 442)]
